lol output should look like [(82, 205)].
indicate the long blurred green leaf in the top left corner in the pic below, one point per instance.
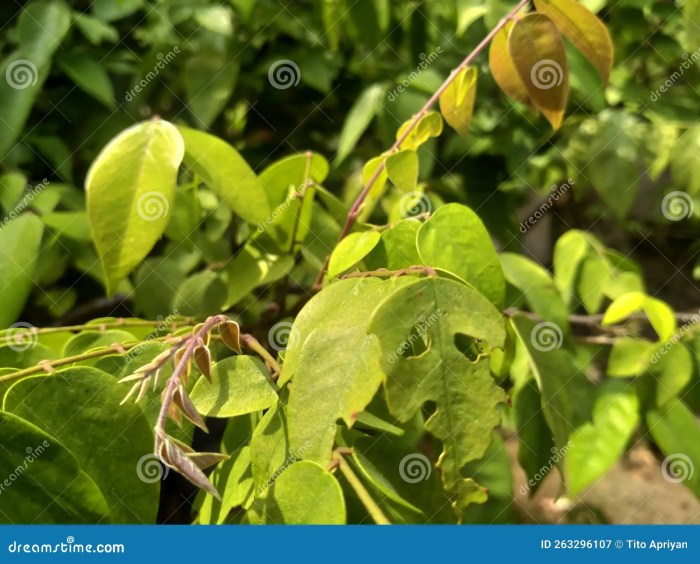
[(41, 27)]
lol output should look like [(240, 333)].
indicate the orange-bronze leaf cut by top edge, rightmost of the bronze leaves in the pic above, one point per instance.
[(584, 29)]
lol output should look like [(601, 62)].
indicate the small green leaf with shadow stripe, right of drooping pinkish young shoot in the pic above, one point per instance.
[(239, 385)]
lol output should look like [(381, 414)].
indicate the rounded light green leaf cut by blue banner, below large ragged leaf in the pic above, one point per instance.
[(319, 502)]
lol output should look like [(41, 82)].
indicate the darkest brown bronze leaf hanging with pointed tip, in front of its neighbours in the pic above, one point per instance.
[(537, 50)]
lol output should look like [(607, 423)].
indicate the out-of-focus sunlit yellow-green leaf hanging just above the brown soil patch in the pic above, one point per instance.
[(594, 447)]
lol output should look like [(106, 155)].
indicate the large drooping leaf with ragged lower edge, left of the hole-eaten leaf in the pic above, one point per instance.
[(333, 364)]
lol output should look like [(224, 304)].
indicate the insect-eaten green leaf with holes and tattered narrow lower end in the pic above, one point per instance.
[(438, 315)]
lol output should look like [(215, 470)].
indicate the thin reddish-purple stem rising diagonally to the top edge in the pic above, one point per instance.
[(355, 209)]
